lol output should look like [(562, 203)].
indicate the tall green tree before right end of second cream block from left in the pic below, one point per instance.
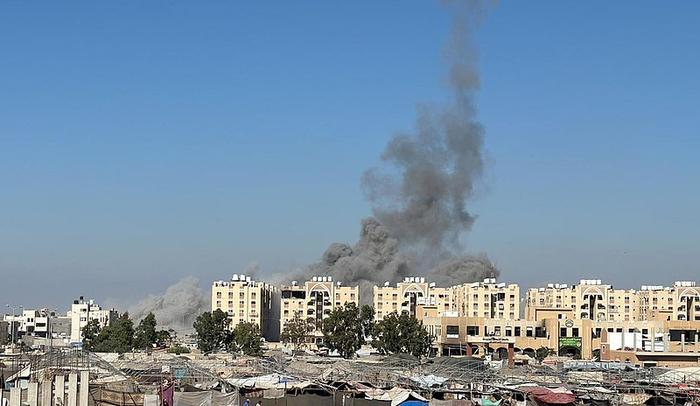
[(343, 330)]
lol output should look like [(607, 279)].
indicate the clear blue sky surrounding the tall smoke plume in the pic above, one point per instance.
[(141, 142)]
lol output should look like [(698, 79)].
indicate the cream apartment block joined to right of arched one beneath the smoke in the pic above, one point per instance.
[(488, 299)]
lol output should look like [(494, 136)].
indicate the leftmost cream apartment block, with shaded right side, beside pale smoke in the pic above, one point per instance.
[(246, 300)]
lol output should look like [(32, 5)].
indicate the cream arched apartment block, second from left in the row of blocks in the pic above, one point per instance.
[(314, 301)]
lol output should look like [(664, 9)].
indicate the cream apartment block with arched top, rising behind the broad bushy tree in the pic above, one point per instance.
[(411, 292)]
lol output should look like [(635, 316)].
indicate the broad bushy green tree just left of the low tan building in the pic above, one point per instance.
[(401, 334)]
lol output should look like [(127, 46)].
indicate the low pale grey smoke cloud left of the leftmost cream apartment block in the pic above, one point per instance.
[(177, 307)]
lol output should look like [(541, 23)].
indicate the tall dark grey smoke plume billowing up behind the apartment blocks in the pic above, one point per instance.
[(419, 195)]
